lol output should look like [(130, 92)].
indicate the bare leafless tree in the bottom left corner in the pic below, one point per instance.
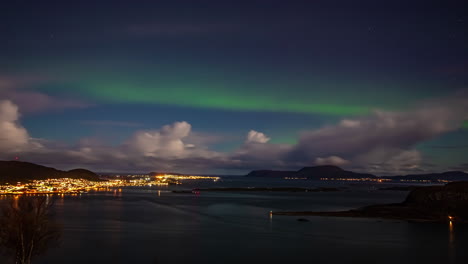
[(27, 228)]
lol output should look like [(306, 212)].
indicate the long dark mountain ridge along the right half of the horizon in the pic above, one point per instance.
[(329, 171)]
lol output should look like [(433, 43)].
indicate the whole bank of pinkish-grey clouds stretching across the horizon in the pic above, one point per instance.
[(383, 142)]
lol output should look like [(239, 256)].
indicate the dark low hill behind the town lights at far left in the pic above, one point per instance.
[(19, 171)]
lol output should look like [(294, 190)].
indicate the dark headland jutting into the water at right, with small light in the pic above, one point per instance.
[(431, 204)]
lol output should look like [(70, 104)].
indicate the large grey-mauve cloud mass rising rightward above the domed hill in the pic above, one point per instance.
[(385, 140)]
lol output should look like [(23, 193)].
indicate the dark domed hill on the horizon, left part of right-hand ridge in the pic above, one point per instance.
[(317, 172)]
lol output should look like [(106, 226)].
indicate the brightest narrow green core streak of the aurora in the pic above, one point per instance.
[(119, 93)]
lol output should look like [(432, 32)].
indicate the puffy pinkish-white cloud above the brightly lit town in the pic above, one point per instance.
[(167, 148)]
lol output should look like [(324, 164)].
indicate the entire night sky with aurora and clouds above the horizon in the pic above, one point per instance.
[(224, 87)]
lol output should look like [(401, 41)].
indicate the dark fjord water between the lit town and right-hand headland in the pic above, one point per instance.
[(155, 225)]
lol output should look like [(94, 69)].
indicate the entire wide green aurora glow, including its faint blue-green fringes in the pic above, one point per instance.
[(211, 89)]
